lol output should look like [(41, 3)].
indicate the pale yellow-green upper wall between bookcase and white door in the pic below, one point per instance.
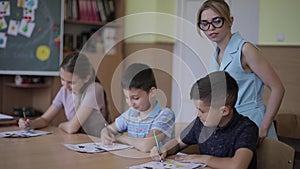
[(151, 22)]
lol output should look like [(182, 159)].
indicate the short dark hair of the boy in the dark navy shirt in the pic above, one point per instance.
[(216, 89)]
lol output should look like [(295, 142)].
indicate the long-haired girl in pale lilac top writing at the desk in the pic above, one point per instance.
[(81, 97)]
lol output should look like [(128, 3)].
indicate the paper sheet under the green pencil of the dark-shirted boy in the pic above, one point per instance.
[(167, 164)]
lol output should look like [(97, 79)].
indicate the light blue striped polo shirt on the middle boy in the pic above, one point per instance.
[(159, 118)]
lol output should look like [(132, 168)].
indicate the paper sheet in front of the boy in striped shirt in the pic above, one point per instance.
[(96, 147)]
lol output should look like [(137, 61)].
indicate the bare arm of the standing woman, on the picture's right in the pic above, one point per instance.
[(254, 61)]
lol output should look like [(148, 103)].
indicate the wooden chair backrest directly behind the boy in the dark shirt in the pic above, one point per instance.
[(274, 154)]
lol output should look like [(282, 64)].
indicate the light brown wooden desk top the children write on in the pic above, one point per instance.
[(48, 152)]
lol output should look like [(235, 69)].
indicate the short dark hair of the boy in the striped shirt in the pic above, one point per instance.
[(139, 76)]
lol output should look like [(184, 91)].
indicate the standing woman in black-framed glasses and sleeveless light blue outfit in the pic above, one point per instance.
[(245, 63)]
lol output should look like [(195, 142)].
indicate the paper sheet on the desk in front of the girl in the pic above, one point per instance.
[(23, 133)]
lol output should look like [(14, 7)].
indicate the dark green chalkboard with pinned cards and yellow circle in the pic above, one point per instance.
[(31, 33)]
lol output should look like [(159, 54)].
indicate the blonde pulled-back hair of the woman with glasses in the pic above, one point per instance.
[(218, 6)]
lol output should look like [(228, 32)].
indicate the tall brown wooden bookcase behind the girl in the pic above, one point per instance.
[(104, 62)]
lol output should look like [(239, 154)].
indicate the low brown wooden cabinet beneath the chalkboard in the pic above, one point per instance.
[(37, 96)]
